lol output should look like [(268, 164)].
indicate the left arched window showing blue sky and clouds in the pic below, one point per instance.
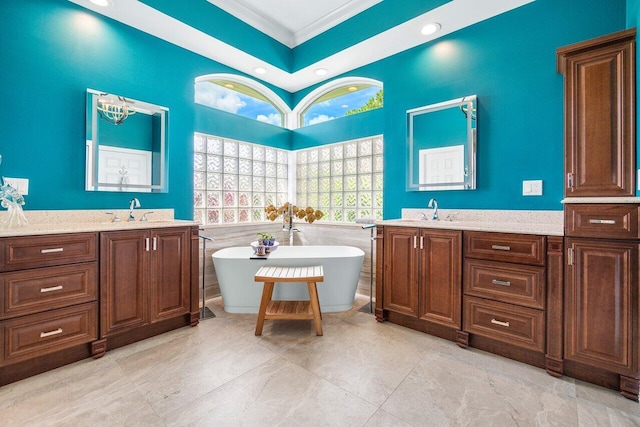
[(242, 96)]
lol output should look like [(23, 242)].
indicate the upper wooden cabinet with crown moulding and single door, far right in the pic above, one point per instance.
[(600, 116)]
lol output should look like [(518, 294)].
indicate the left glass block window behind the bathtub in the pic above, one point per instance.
[(234, 180)]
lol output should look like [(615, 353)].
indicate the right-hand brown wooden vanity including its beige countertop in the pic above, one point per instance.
[(496, 286)]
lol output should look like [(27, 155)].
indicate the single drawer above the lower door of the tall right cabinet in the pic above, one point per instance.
[(601, 220)]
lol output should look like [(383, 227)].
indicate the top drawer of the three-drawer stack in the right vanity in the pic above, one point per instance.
[(517, 248)]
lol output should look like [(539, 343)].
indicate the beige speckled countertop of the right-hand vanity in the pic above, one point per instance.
[(548, 223)]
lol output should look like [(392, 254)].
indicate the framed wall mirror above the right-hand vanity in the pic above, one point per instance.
[(441, 151)]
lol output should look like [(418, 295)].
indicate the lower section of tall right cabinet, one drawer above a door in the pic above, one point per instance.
[(602, 324)]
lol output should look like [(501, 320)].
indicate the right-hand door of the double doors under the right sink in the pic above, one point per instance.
[(440, 282)]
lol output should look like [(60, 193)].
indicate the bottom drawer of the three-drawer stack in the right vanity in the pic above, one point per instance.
[(508, 323)]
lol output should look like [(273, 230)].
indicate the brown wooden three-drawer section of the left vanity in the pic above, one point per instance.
[(48, 302)]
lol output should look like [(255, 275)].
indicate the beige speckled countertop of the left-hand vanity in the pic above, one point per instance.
[(80, 221)]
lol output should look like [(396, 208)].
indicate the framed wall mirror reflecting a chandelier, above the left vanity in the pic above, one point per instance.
[(126, 144)]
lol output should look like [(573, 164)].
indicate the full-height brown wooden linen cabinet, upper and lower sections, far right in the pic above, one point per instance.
[(601, 297)]
